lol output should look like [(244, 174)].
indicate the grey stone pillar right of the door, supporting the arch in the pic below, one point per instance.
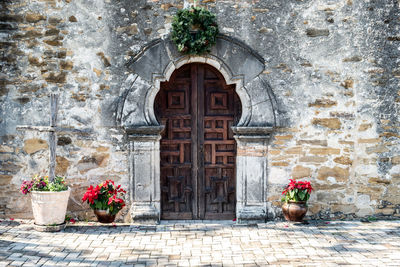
[(251, 173)]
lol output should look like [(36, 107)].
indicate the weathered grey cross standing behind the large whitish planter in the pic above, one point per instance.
[(52, 134)]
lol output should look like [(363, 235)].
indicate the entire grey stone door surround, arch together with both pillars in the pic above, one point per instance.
[(239, 65)]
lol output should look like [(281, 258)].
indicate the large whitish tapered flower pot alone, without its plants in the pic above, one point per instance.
[(49, 208)]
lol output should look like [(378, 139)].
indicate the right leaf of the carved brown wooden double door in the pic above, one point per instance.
[(221, 110)]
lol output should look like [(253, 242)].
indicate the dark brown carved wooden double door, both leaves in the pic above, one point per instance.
[(197, 149)]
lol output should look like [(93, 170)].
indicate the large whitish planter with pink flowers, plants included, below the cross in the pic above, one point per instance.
[(49, 199)]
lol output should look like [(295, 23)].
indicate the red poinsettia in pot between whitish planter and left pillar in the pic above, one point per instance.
[(106, 200)]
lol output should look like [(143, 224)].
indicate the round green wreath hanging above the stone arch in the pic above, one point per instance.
[(194, 30)]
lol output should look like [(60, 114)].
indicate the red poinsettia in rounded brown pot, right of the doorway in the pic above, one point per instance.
[(296, 194)]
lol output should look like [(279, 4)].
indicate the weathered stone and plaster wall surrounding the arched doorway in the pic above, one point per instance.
[(333, 67)]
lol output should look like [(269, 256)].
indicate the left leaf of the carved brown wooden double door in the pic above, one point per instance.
[(174, 111)]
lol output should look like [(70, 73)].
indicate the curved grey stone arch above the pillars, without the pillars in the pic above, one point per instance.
[(237, 62)]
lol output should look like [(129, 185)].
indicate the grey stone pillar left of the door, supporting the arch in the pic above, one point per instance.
[(144, 161)]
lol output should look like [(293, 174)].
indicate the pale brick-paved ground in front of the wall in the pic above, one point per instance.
[(205, 243)]
